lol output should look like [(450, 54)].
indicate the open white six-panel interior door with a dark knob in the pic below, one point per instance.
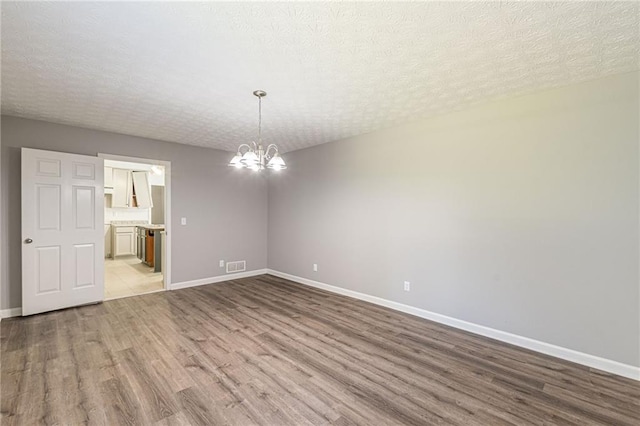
[(62, 230)]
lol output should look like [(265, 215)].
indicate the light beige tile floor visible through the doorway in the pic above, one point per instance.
[(128, 276)]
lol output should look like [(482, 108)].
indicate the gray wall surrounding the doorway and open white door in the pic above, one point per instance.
[(226, 211)]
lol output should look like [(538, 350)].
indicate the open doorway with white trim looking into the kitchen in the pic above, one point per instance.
[(136, 226)]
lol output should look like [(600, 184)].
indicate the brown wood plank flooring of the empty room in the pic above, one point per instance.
[(264, 350)]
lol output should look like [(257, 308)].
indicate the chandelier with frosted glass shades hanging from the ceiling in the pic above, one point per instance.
[(252, 155)]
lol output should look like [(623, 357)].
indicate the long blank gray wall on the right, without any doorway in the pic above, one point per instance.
[(520, 215)]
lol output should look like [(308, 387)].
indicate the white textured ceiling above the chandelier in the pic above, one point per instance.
[(184, 72)]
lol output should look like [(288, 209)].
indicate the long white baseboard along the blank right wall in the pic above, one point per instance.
[(592, 361)]
